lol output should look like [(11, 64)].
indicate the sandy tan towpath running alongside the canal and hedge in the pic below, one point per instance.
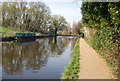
[(92, 66)]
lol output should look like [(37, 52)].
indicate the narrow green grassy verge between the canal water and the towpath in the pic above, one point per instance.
[(71, 71)]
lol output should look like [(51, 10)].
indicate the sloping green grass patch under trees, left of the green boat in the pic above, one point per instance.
[(7, 32)]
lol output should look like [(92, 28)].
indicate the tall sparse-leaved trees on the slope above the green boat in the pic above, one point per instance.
[(27, 16)]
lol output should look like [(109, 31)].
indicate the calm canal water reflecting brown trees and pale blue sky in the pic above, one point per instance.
[(43, 58)]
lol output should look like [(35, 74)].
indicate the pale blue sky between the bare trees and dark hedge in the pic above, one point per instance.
[(66, 8)]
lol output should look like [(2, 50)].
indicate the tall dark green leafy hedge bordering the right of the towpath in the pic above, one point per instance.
[(105, 18)]
